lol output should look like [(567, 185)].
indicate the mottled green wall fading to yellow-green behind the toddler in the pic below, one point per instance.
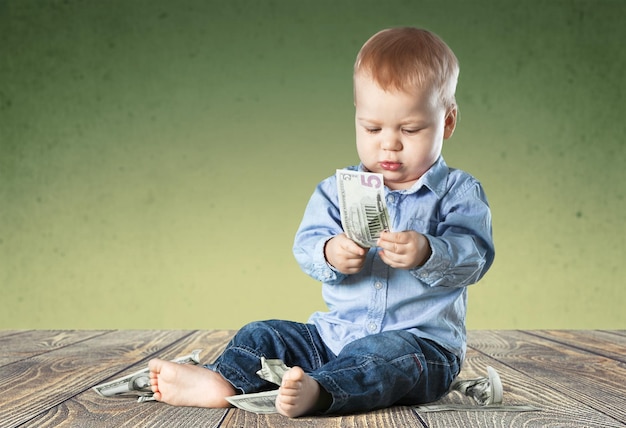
[(156, 156)]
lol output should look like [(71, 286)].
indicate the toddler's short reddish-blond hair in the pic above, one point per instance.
[(406, 58)]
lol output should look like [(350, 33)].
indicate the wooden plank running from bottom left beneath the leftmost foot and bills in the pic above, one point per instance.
[(90, 410)]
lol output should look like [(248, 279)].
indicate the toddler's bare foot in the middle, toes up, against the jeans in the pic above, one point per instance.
[(298, 395)]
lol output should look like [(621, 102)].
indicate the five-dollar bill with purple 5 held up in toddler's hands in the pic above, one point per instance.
[(364, 214)]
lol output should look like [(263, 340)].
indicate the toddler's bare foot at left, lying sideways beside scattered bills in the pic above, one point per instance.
[(187, 385)]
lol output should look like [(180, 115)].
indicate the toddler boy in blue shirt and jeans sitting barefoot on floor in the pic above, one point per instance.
[(394, 332)]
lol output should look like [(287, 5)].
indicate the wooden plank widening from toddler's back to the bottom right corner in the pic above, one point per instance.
[(589, 379)]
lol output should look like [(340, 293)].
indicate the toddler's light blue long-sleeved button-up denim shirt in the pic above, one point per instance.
[(449, 207)]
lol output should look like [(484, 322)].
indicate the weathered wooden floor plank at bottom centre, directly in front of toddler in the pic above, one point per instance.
[(393, 417)]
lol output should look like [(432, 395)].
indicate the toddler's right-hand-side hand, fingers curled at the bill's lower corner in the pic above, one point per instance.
[(404, 250)]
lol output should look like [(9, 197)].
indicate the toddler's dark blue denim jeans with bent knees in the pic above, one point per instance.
[(377, 371)]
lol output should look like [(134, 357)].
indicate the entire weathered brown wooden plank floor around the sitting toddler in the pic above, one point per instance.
[(576, 378)]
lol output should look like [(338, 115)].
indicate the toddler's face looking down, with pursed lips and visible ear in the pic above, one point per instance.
[(400, 134)]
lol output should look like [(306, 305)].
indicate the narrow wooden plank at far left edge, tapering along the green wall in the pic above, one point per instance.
[(28, 343)]
